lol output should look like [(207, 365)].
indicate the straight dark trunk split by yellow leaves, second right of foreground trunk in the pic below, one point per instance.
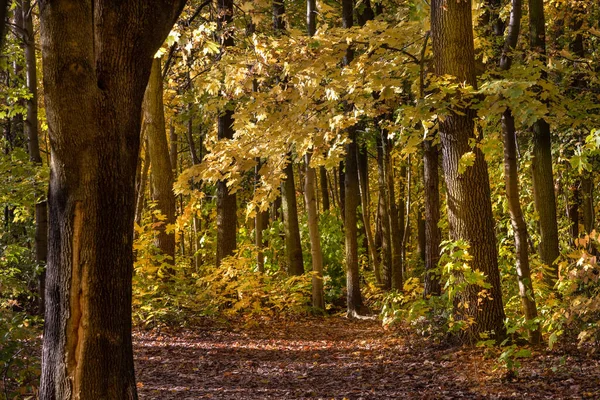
[(226, 202)]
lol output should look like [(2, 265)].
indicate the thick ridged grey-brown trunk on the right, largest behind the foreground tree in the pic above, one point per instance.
[(469, 201)]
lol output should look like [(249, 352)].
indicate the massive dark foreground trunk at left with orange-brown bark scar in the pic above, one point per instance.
[(94, 82)]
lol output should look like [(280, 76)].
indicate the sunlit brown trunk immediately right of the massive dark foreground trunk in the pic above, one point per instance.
[(158, 150)]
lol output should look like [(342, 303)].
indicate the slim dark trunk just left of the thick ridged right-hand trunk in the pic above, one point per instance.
[(432, 217)]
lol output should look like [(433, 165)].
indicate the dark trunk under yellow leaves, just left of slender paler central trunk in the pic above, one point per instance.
[(293, 246)]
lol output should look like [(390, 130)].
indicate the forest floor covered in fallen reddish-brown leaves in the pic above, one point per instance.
[(335, 358)]
